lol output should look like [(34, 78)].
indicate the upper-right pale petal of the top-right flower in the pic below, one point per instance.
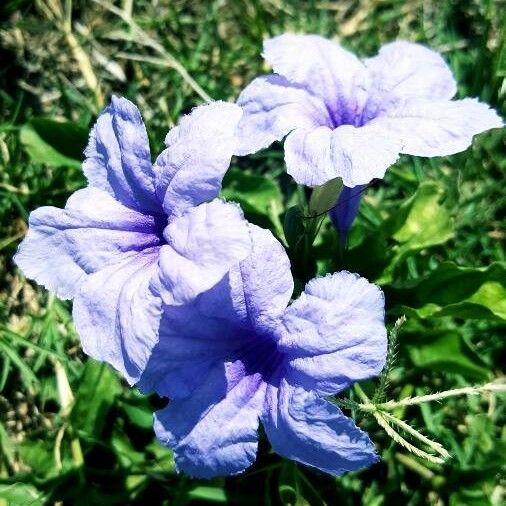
[(403, 71)]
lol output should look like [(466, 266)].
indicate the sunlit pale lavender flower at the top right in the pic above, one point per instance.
[(350, 118)]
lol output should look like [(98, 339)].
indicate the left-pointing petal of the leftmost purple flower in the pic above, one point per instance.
[(62, 246)]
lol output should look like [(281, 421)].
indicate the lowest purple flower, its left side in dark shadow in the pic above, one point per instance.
[(237, 354)]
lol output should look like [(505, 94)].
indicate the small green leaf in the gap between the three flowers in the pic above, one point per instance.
[(255, 193)]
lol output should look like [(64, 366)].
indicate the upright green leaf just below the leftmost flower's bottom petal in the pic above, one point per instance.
[(97, 391)]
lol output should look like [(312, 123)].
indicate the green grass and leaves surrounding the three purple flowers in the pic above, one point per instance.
[(70, 431)]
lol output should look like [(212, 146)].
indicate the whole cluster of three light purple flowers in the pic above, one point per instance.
[(177, 291)]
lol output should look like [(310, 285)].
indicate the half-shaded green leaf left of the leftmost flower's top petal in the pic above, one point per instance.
[(55, 143)]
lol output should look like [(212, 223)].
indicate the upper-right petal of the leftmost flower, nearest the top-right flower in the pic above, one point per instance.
[(198, 154)]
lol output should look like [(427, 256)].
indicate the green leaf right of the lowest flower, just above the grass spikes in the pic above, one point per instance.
[(447, 352)]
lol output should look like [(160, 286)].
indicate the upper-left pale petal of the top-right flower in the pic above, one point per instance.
[(323, 68)]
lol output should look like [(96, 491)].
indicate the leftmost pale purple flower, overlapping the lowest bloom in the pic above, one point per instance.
[(139, 233)]
